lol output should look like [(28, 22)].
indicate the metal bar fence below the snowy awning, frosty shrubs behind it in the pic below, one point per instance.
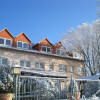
[(41, 88)]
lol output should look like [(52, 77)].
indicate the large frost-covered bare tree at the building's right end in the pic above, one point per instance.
[(86, 40)]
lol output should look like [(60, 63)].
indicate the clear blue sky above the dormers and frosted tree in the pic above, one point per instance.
[(45, 18)]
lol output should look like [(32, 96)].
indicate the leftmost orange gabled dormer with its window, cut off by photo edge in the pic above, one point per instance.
[(6, 38)]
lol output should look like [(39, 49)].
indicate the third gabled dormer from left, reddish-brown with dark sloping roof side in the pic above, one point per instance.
[(44, 46)]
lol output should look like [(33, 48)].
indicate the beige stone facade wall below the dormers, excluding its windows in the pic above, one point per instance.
[(15, 56)]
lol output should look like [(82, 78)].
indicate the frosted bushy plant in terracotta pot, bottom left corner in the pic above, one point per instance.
[(6, 84)]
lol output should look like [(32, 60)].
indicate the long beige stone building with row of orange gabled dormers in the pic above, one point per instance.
[(41, 59)]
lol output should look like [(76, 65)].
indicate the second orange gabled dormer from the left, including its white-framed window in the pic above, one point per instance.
[(22, 41)]
